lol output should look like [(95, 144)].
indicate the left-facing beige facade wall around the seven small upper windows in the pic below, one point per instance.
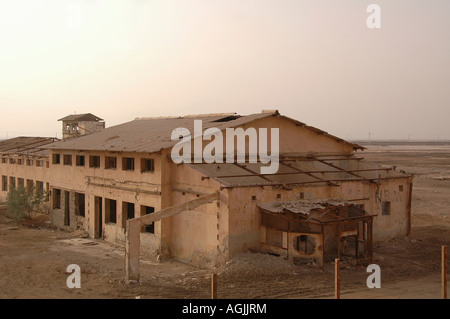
[(141, 189)]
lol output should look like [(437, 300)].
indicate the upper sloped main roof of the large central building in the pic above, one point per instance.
[(150, 135)]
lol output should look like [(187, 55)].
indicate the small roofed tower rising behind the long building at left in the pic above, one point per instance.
[(81, 124)]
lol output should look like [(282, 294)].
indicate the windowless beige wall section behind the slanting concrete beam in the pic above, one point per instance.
[(199, 236)]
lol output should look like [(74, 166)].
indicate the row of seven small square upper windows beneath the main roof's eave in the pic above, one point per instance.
[(147, 164)]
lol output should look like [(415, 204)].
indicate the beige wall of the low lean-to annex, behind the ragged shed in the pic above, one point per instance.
[(245, 223)]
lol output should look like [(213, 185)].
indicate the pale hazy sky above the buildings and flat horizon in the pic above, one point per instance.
[(313, 60)]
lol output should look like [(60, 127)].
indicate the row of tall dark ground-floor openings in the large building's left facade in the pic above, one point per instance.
[(110, 209)]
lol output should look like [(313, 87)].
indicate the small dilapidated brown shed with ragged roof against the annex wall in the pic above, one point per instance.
[(315, 230)]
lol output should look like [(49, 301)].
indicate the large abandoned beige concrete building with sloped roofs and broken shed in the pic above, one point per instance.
[(120, 184)]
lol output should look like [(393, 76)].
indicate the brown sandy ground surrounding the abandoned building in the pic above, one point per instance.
[(34, 255)]
